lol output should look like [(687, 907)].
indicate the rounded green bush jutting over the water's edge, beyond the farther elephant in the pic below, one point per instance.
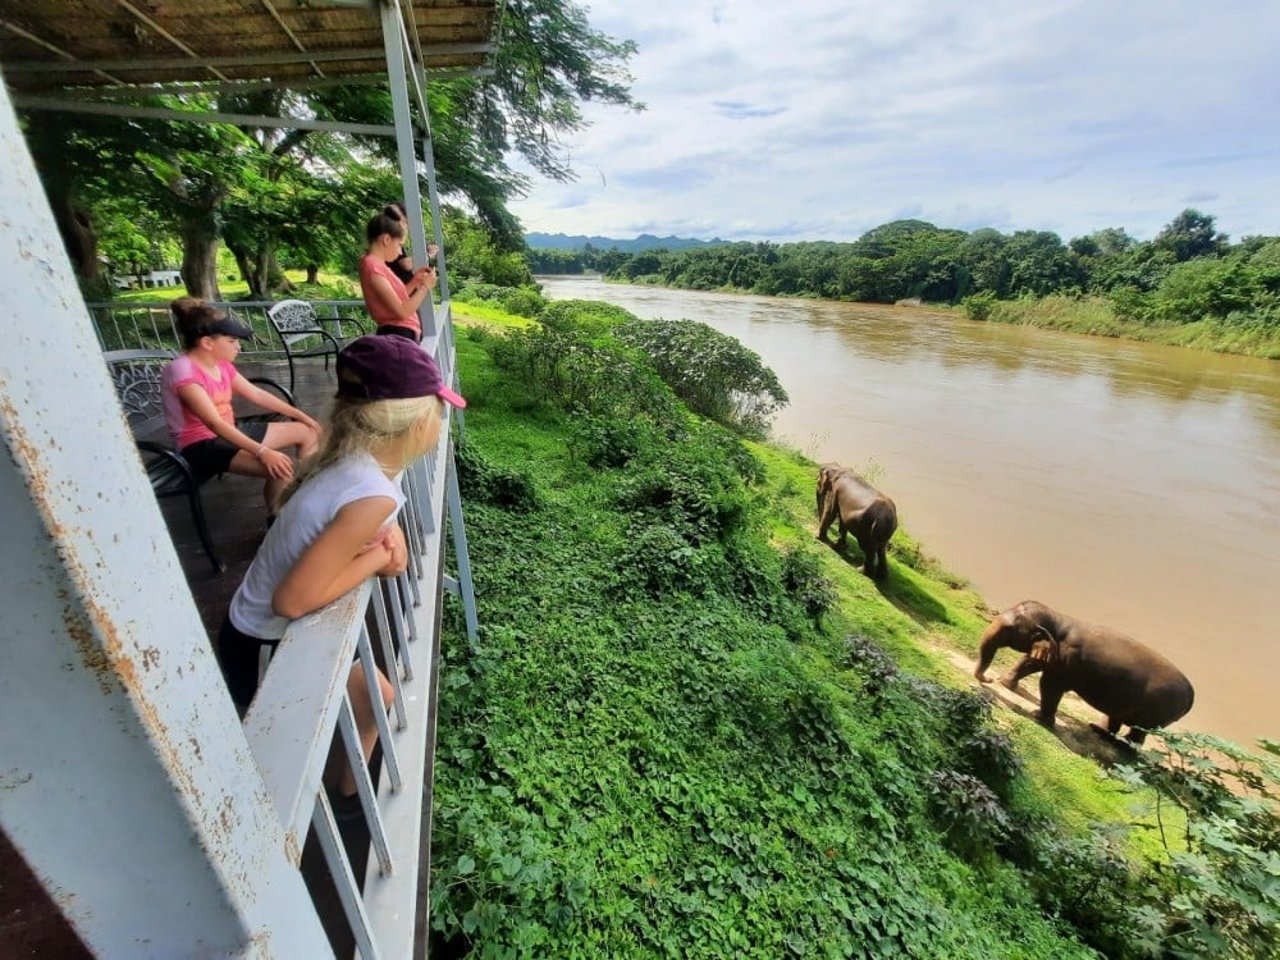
[(712, 373)]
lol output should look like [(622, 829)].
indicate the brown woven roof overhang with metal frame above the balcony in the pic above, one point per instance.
[(53, 47)]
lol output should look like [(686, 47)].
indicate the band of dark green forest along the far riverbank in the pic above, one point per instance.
[(1188, 272)]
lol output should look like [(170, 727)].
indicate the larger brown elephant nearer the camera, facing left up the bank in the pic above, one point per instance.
[(1114, 674)]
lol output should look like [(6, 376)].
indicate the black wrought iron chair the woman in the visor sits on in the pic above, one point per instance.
[(136, 374)]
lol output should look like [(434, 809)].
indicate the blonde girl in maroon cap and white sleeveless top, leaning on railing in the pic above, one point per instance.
[(337, 524)]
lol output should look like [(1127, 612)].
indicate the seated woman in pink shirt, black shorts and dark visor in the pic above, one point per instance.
[(198, 390)]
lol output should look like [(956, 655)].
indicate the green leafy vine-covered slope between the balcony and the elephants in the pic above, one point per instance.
[(688, 730)]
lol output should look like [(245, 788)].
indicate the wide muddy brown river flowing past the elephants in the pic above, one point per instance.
[(1122, 483)]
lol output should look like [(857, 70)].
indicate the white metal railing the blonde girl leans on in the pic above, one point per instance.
[(304, 702)]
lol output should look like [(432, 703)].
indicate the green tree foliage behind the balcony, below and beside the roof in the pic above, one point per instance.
[(307, 195)]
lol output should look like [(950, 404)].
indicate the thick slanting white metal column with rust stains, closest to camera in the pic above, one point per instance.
[(126, 781)]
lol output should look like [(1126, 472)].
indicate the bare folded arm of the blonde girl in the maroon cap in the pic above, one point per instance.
[(337, 561)]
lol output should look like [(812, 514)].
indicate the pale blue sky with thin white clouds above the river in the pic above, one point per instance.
[(822, 118)]
